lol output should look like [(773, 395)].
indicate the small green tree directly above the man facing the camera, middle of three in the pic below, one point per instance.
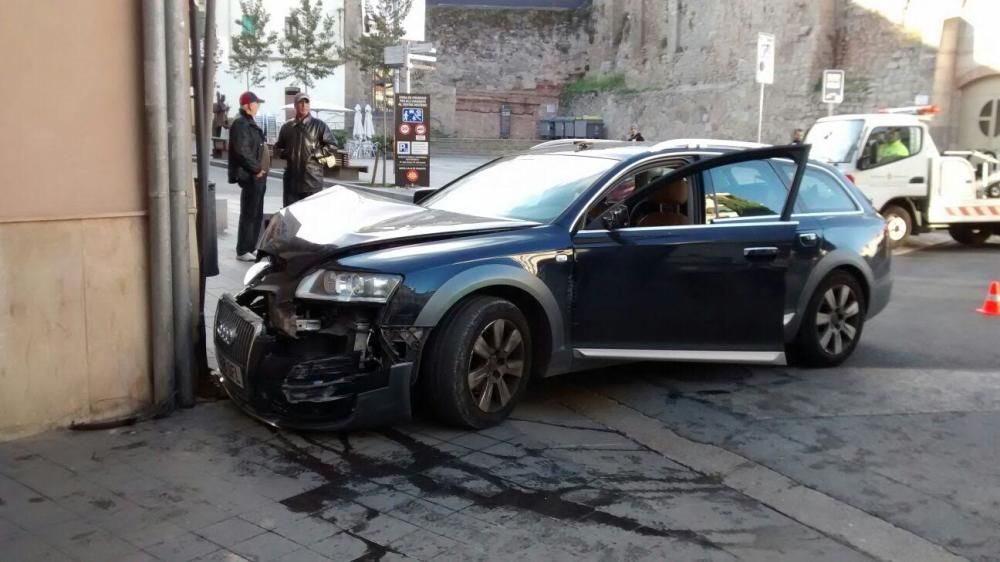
[(309, 47)]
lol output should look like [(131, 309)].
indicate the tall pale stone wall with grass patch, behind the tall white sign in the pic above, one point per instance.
[(689, 66)]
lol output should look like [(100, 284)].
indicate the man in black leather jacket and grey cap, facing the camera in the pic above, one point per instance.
[(302, 142)]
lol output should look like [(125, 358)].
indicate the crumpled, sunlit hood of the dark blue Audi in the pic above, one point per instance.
[(341, 218)]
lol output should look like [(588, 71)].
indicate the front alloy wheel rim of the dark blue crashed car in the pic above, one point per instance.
[(496, 365)]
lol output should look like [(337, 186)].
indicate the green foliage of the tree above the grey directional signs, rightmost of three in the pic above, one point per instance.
[(385, 29)]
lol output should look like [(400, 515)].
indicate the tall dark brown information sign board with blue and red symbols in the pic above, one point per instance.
[(412, 153)]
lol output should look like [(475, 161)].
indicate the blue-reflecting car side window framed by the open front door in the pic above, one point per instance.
[(744, 189)]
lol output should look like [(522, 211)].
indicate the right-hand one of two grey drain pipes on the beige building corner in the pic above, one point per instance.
[(179, 140)]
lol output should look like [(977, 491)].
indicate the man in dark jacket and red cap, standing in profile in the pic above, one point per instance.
[(249, 160)]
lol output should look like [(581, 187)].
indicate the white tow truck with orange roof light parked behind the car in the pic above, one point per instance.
[(892, 158)]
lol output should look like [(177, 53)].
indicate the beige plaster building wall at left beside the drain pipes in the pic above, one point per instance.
[(74, 304)]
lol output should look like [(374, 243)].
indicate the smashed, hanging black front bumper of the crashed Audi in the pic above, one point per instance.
[(285, 388)]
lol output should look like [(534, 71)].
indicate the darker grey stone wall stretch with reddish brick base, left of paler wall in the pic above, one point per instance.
[(488, 57)]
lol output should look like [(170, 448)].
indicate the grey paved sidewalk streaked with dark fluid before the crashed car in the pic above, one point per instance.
[(211, 484)]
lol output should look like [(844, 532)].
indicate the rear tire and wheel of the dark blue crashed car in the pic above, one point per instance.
[(833, 322)]
